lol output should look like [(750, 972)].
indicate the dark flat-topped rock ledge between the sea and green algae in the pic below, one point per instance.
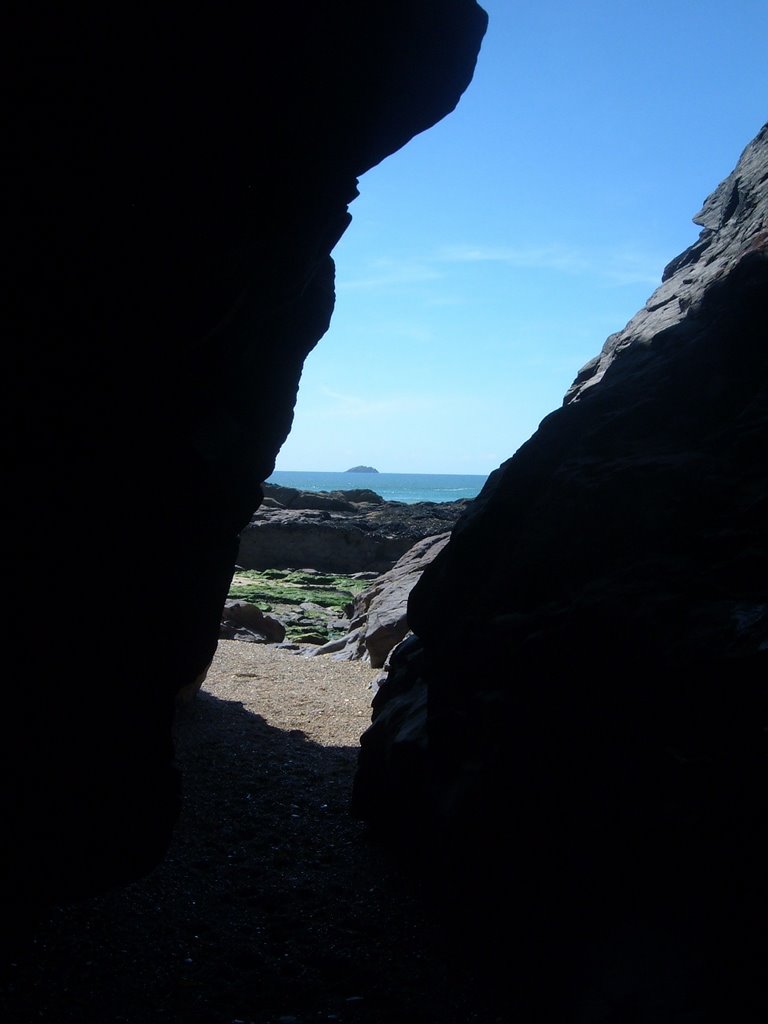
[(342, 532)]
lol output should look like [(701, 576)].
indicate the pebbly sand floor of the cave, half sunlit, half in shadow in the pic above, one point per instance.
[(272, 906)]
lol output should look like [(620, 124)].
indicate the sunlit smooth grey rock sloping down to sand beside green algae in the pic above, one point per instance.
[(379, 616)]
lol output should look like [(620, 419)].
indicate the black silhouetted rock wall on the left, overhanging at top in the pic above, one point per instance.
[(179, 181)]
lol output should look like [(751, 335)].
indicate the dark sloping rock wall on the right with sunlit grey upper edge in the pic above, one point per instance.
[(593, 649)]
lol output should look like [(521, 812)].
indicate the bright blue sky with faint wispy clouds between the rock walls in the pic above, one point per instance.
[(490, 259)]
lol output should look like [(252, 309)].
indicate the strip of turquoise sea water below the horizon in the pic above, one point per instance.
[(408, 488)]
